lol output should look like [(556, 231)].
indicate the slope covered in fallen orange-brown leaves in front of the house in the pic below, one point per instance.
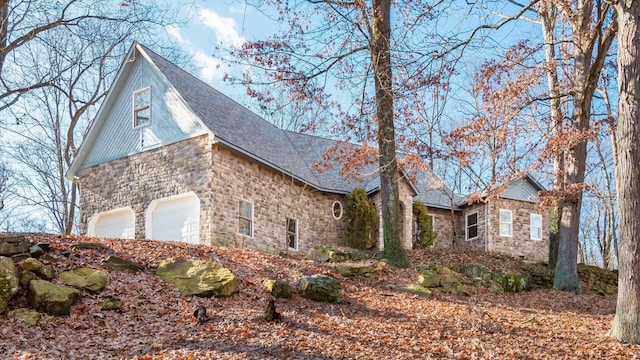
[(374, 322)]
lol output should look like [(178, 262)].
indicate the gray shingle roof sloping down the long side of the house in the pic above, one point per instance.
[(293, 153)]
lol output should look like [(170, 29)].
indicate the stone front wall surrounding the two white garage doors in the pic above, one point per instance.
[(139, 179)]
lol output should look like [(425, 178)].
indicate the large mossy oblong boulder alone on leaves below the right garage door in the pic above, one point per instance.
[(198, 277)]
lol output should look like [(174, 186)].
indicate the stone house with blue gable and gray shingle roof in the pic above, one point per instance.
[(170, 158)]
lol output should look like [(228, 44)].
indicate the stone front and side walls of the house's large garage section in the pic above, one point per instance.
[(220, 178)]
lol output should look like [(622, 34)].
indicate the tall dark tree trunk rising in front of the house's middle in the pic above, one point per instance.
[(381, 64)]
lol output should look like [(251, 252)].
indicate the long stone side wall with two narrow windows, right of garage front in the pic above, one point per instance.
[(275, 197)]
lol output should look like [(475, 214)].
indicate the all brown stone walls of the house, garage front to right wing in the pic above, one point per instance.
[(220, 178)]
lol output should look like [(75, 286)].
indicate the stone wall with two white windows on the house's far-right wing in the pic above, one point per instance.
[(520, 243)]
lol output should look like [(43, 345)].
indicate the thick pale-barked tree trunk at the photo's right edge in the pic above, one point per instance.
[(626, 323)]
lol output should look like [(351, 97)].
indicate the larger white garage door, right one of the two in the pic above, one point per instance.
[(175, 218)]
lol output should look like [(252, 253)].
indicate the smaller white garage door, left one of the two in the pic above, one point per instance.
[(116, 224)]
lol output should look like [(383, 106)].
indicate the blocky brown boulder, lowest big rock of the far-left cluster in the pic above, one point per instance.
[(51, 298)]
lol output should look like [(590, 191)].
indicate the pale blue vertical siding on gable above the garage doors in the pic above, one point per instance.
[(171, 118)]
